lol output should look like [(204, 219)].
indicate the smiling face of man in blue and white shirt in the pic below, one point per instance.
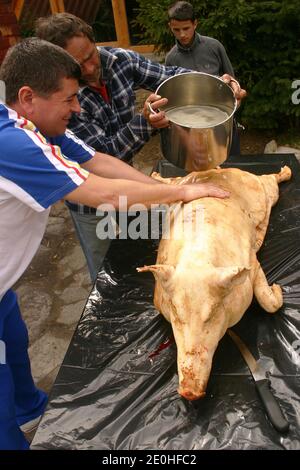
[(51, 115)]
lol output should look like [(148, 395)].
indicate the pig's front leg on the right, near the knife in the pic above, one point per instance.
[(269, 297)]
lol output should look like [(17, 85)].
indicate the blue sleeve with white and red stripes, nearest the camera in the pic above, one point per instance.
[(37, 172)]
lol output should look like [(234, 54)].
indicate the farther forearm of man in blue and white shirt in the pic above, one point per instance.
[(107, 166)]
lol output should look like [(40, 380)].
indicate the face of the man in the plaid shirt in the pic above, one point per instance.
[(86, 54)]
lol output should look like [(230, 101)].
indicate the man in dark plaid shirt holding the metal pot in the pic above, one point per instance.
[(108, 120)]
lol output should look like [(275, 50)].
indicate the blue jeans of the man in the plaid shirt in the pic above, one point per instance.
[(93, 248)]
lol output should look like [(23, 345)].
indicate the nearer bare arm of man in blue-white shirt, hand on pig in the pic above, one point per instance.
[(96, 190)]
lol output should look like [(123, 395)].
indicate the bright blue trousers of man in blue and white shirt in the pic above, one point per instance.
[(20, 400)]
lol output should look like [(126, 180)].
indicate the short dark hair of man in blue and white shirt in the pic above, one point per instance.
[(38, 64)]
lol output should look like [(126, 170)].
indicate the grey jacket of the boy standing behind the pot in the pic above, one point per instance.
[(204, 55)]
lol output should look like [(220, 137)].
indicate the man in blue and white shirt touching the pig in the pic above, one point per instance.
[(40, 163)]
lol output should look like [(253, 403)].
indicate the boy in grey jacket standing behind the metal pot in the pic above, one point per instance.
[(197, 52)]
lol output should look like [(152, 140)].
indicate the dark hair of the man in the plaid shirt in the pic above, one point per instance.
[(61, 27)]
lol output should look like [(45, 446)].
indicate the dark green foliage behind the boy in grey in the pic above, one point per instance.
[(262, 41)]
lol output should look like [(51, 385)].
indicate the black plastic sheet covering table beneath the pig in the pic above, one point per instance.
[(117, 387)]
